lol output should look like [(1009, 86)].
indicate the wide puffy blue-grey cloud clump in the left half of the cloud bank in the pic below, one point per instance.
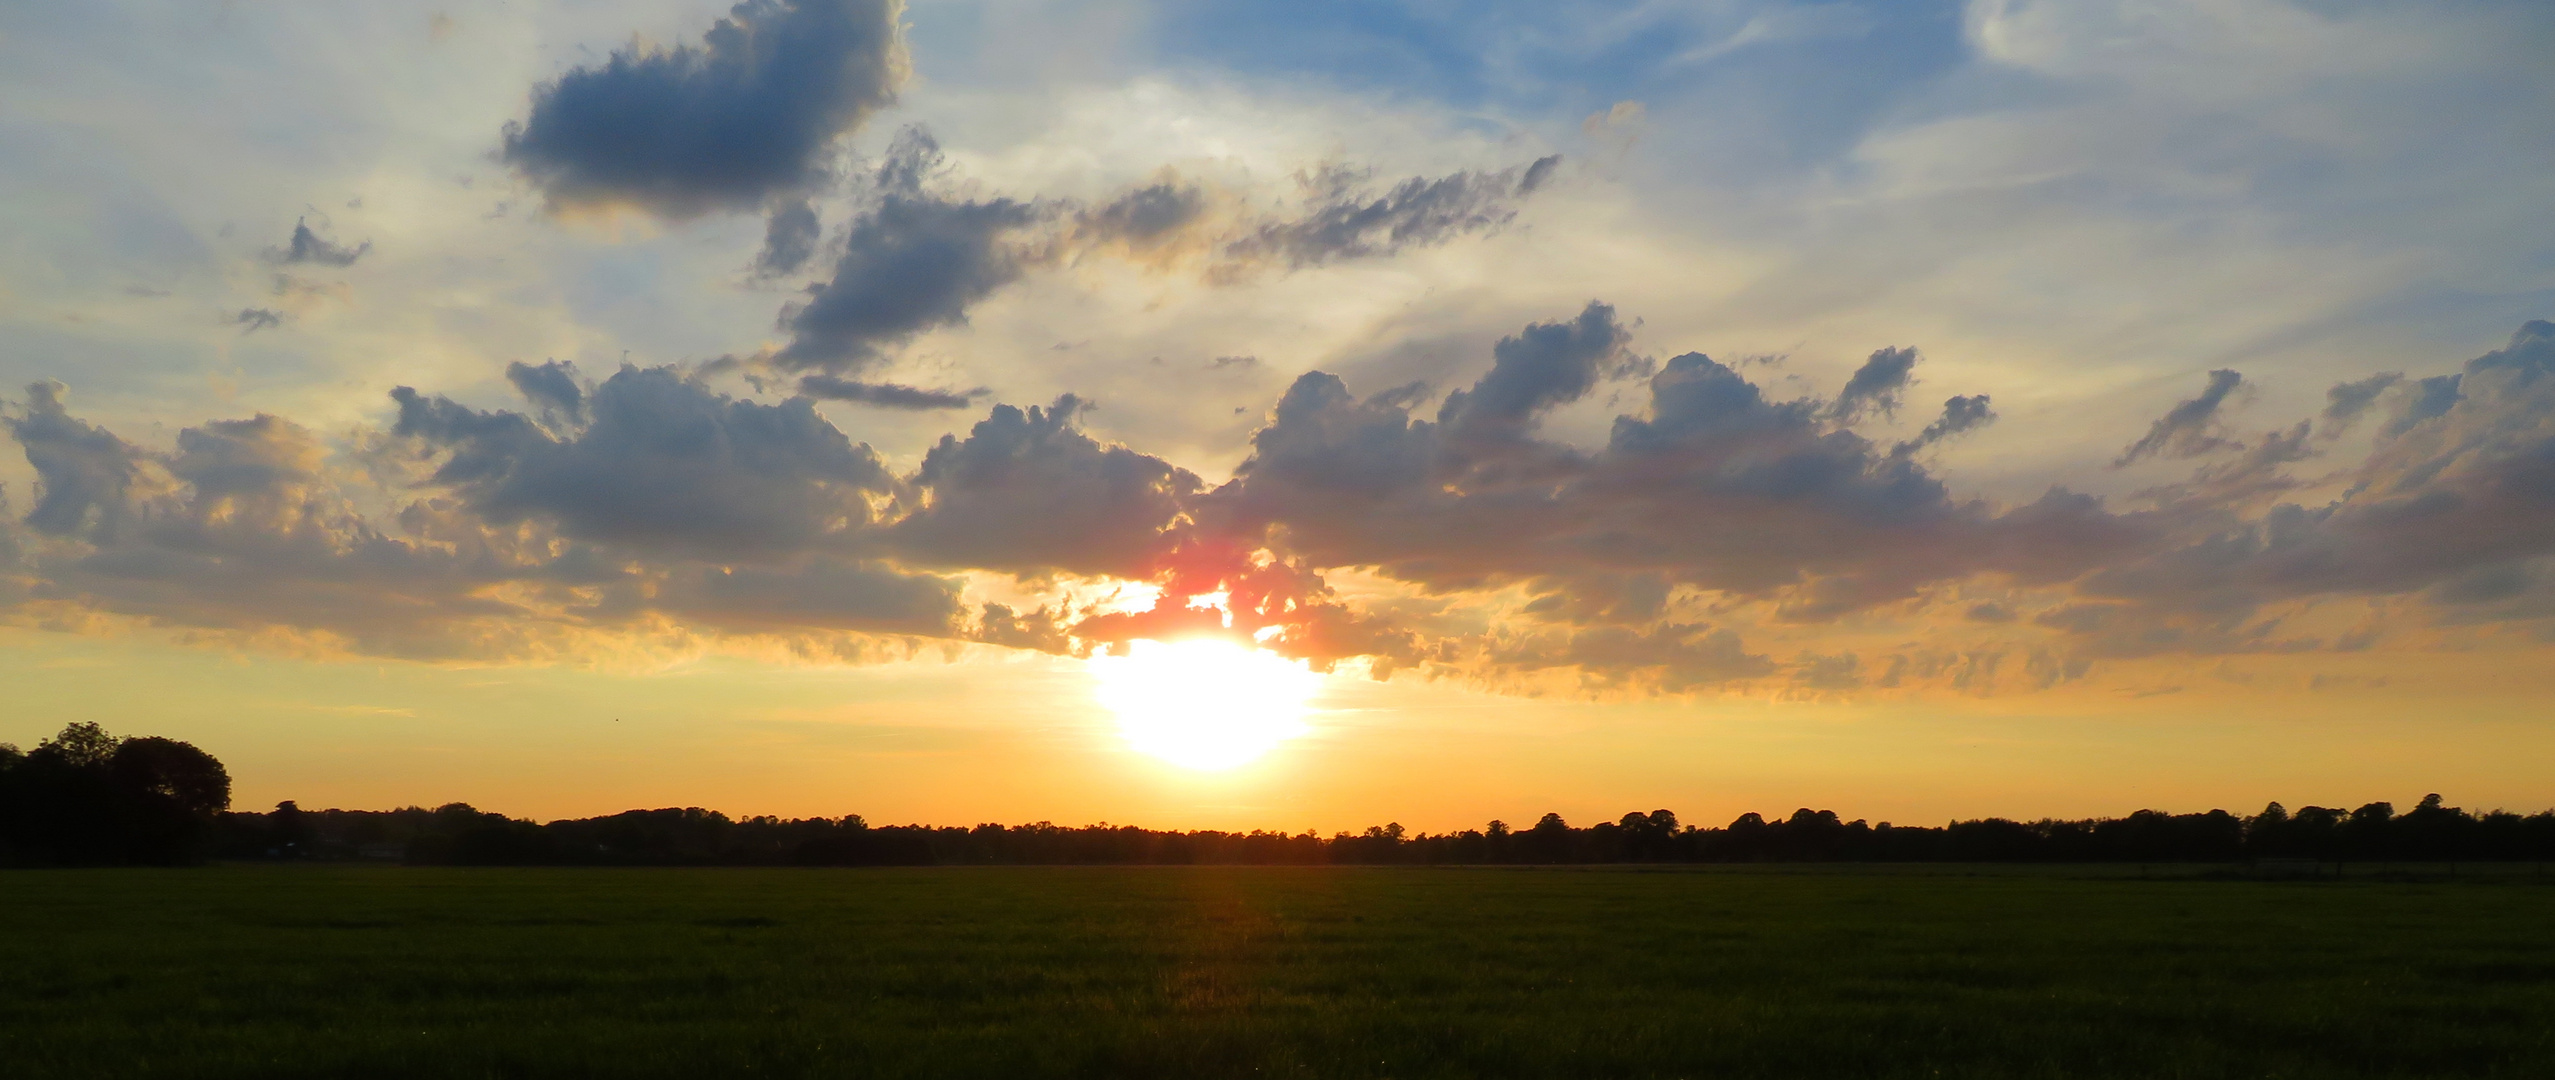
[(663, 466)]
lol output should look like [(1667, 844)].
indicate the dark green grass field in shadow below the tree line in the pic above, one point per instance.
[(1269, 971)]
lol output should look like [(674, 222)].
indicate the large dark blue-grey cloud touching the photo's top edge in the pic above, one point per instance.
[(750, 114)]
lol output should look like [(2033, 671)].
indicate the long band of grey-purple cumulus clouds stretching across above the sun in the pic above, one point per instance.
[(1690, 550)]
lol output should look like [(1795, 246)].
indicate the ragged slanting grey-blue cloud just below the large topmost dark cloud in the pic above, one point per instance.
[(911, 264)]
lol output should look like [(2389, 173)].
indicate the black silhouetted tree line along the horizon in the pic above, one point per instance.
[(88, 798)]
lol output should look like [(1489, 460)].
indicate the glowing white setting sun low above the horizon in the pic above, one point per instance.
[(1205, 703)]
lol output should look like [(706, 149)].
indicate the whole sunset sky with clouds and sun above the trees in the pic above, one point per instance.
[(949, 410)]
